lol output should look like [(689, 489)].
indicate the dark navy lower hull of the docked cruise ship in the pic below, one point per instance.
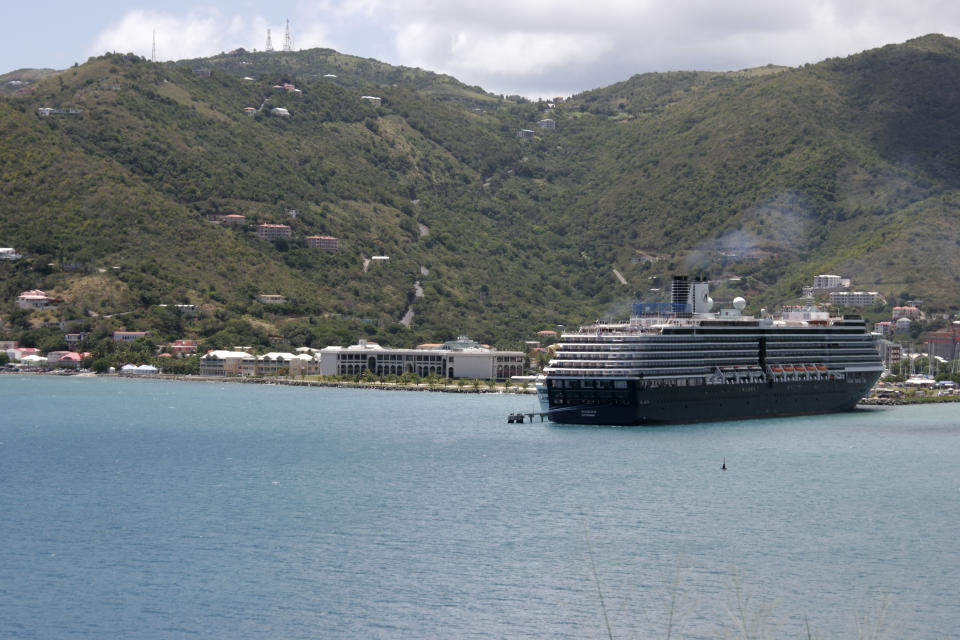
[(707, 403)]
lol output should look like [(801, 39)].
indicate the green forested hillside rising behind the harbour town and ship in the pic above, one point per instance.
[(769, 176)]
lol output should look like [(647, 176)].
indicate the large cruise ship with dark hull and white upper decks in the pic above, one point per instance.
[(680, 362)]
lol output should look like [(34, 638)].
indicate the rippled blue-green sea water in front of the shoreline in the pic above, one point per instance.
[(149, 509)]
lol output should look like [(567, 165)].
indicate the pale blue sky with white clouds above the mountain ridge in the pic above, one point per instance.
[(535, 48)]
